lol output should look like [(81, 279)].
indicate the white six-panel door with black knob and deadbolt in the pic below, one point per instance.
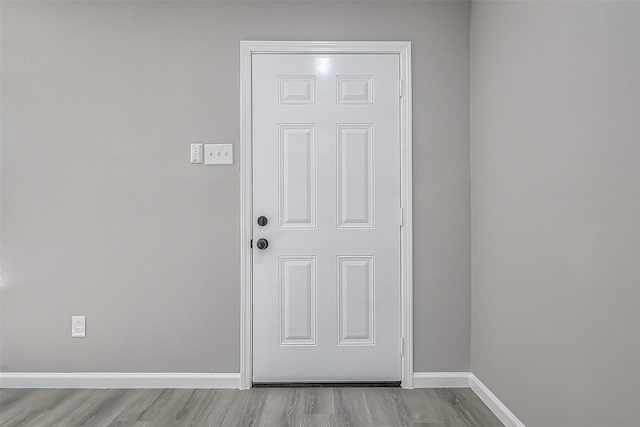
[(326, 176)]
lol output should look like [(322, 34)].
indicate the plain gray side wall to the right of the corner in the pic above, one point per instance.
[(556, 209)]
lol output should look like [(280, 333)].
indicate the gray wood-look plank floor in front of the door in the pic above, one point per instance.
[(256, 407)]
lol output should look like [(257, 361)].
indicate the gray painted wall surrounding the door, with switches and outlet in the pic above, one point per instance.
[(103, 215)]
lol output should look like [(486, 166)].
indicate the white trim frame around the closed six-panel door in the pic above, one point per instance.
[(247, 49)]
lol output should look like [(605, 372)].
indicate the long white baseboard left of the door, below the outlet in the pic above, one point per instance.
[(117, 380)]
